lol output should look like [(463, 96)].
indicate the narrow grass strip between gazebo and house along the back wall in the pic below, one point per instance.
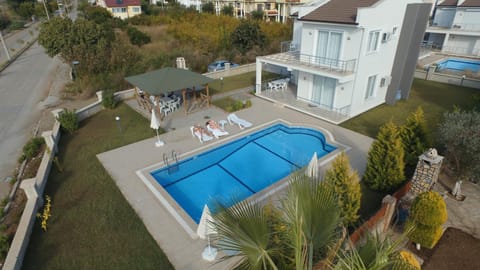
[(238, 82)]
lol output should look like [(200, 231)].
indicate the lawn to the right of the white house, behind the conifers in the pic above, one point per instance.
[(434, 98)]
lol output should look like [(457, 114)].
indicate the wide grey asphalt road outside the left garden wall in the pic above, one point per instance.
[(22, 86)]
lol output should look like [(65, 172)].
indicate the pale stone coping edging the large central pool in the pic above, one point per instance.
[(177, 211)]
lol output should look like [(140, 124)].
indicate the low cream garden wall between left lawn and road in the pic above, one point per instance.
[(34, 187)]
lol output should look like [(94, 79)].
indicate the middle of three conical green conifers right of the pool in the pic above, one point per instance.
[(385, 165)]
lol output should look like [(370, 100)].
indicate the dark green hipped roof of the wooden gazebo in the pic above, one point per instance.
[(162, 81)]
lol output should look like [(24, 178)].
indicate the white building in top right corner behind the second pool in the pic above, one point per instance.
[(455, 27)]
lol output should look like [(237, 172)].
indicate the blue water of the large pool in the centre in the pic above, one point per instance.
[(240, 168)]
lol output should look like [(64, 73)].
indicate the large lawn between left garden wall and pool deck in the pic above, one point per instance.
[(92, 225)]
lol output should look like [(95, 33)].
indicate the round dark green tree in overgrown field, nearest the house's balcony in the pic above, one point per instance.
[(247, 35)]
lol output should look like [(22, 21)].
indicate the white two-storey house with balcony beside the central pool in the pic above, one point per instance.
[(348, 56)]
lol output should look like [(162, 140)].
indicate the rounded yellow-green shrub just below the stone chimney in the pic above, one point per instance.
[(427, 215)]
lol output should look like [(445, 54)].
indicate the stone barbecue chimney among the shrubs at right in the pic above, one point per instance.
[(427, 171)]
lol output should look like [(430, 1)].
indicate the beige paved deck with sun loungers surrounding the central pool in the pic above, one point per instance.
[(183, 251)]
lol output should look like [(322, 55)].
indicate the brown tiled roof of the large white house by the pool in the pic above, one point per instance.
[(338, 11)]
